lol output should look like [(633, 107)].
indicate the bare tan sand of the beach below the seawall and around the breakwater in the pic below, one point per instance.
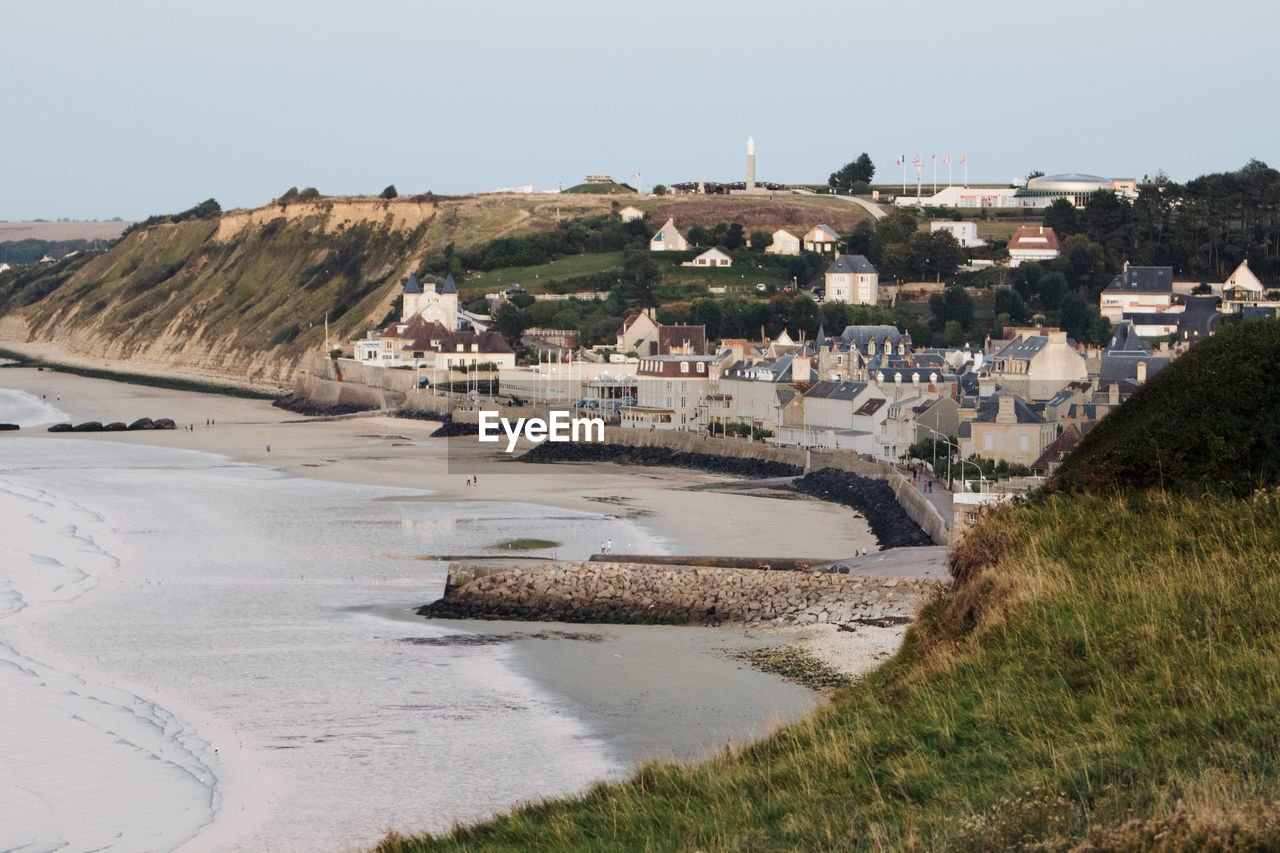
[(623, 685)]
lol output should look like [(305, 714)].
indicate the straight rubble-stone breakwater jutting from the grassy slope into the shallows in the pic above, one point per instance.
[(602, 592)]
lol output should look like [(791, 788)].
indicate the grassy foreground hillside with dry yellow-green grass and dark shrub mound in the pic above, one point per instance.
[(1103, 677)]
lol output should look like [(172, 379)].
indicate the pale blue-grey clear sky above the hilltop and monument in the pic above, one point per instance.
[(144, 107)]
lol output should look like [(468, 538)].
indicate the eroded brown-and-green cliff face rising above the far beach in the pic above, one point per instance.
[(246, 297)]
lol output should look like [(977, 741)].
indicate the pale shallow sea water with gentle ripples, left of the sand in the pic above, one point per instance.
[(204, 654)]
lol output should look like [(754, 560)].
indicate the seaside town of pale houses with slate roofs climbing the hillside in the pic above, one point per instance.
[(848, 371)]
